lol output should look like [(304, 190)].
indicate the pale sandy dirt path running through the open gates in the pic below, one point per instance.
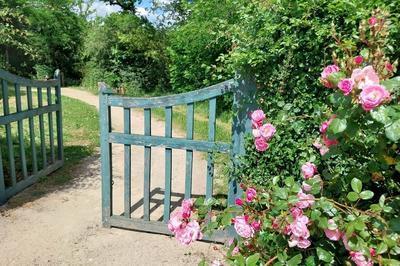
[(64, 227)]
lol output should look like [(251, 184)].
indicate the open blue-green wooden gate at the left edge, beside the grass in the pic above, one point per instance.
[(21, 161)]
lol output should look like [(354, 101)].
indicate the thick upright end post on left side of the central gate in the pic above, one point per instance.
[(105, 154)]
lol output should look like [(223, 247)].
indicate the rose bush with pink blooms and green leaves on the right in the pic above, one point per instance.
[(324, 216)]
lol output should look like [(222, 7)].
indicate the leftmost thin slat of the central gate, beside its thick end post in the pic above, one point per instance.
[(127, 165)]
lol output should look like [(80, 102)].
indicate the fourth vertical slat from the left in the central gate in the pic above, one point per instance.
[(189, 153)]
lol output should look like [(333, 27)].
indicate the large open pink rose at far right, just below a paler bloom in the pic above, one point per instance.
[(372, 96)]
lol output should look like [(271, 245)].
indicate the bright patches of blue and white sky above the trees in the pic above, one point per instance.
[(103, 9)]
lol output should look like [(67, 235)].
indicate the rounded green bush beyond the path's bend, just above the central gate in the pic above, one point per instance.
[(126, 52)]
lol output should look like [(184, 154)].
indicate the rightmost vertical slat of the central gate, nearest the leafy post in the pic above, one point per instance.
[(212, 108)]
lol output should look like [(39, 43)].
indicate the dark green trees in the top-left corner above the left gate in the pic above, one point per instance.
[(40, 32)]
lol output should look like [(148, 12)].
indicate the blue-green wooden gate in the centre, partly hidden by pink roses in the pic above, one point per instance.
[(243, 90)]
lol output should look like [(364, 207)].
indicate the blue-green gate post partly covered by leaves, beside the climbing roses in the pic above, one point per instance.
[(244, 102)]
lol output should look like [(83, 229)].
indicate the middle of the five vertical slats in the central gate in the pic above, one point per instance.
[(168, 164)]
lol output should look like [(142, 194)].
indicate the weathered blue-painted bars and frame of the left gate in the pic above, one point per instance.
[(7, 191)]
